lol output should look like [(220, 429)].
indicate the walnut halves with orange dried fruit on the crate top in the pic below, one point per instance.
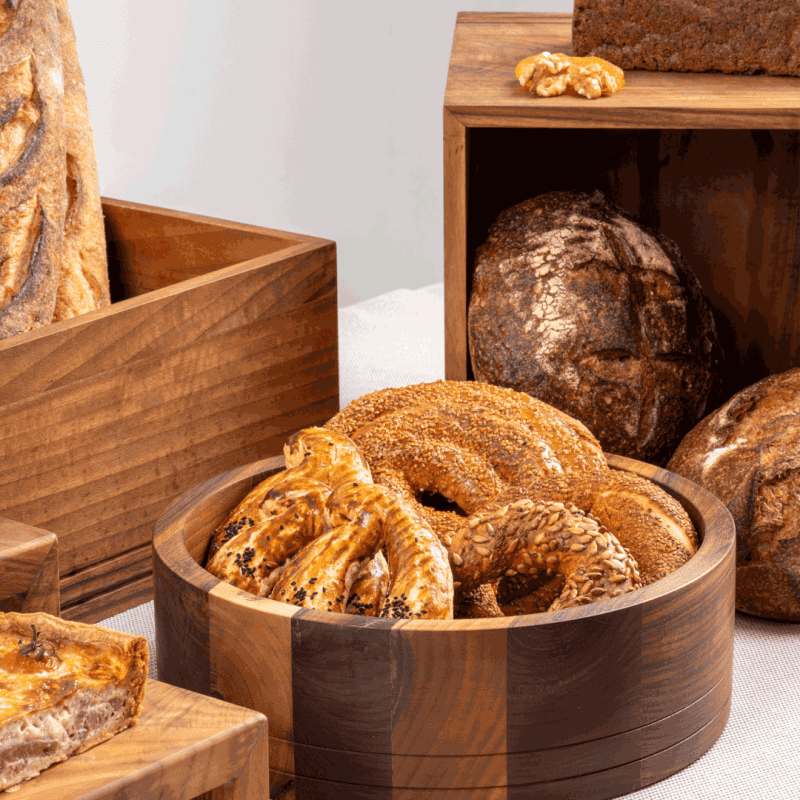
[(550, 74)]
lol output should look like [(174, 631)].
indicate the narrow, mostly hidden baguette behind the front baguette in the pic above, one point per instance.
[(83, 285)]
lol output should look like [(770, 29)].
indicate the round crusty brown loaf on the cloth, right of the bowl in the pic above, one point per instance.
[(747, 453)]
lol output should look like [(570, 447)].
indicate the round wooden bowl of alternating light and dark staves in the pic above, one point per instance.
[(593, 702)]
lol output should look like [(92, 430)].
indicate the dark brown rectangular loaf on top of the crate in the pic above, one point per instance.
[(701, 36)]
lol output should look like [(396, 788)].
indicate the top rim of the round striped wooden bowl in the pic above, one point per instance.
[(718, 539)]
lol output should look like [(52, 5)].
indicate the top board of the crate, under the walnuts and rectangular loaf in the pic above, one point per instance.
[(482, 90)]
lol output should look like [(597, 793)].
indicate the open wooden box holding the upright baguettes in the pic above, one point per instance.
[(221, 340)]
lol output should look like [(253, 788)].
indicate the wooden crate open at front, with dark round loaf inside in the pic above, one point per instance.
[(711, 160)]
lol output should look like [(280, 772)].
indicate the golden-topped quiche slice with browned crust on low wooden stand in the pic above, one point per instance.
[(64, 687)]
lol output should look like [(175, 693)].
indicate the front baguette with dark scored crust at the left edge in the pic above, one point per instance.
[(32, 153)]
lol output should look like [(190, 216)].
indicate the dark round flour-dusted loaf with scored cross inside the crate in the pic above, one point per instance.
[(578, 305)]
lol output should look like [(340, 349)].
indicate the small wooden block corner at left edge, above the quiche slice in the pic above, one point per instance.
[(28, 569)]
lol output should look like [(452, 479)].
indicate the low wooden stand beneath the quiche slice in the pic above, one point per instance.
[(182, 745)]
